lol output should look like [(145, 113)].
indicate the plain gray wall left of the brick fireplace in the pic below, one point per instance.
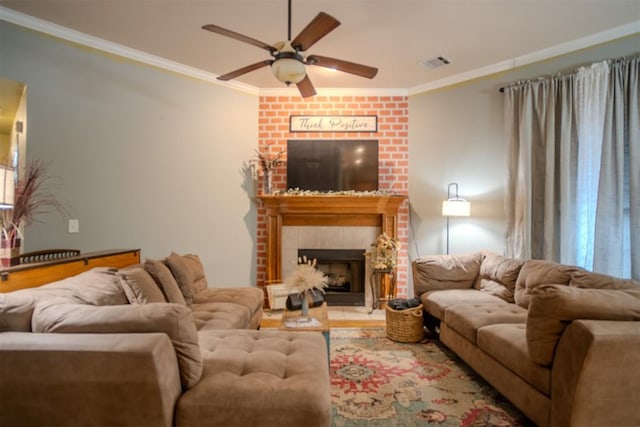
[(146, 158)]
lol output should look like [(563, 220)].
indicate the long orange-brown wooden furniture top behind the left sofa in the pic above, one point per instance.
[(39, 273)]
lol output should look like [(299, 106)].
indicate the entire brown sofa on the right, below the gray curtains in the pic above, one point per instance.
[(561, 343)]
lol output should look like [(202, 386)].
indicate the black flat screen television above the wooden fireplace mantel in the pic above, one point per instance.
[(332, 165)]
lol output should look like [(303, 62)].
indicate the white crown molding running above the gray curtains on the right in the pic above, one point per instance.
[(540, 55)]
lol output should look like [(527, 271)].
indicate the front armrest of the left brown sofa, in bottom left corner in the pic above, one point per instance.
[(87, 379)]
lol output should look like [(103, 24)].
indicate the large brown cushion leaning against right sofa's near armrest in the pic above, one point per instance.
[(553, 307)]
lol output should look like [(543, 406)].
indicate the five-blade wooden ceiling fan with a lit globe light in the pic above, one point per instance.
[(289, 61)]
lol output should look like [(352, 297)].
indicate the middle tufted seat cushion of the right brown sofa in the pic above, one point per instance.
[(466, 319)]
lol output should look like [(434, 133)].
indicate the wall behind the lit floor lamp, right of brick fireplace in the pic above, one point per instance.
[(456, 135)]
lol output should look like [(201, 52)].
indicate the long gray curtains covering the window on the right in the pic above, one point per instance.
[(574, 168)]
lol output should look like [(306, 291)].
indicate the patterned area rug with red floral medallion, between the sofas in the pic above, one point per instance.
[(378, 382)]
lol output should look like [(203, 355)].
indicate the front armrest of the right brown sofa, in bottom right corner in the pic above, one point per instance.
[(595, 375)]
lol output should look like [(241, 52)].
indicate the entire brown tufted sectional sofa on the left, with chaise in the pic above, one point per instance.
[(152, 345)]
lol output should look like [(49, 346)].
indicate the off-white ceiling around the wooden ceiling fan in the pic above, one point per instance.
[(478, 36)]
